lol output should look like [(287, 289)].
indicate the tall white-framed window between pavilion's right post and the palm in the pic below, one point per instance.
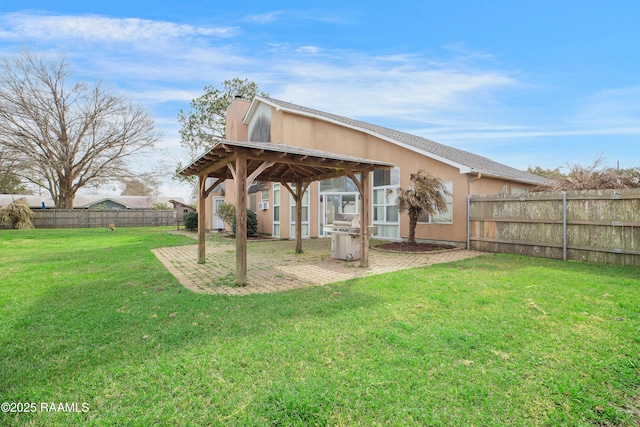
[(385, 207)]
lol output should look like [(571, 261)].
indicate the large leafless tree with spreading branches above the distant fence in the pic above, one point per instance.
[(67, 136)]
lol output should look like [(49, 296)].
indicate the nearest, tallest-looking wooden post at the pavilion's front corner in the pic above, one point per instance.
[(241, 221)]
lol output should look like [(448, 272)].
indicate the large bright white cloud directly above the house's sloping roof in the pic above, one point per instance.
[(356, 85)]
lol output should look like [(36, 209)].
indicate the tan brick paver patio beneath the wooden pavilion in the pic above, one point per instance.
[(273, 265)]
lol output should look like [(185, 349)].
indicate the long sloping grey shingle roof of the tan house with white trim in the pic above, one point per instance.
[(465, 161)]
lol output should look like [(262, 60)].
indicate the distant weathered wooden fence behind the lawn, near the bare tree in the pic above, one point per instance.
[(88, 218)]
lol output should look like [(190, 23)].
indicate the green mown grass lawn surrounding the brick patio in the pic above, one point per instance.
[(92, 318)]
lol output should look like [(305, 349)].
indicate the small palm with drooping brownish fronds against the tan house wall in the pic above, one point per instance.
[(427, 194)]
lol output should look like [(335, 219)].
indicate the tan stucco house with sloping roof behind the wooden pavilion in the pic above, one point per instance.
[(270, 120)]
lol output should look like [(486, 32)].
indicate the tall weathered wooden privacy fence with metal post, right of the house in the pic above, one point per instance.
[(597, 226)]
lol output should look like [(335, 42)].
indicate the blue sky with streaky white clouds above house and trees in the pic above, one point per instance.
[(523, 82)]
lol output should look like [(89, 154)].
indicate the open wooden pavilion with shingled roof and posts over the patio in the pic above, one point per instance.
[(246, 162)]
